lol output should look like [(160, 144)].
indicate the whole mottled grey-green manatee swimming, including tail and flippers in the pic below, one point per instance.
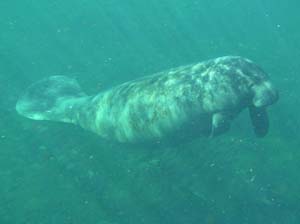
[(200, 99)]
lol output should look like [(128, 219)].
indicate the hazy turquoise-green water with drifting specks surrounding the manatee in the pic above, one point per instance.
[(58, 173)]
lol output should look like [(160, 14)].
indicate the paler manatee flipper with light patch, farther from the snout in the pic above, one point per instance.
[(220, 124)]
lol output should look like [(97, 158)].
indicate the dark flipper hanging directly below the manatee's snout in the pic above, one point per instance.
[(260, 120)]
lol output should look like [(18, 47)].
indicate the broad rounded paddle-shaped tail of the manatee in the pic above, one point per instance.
[(54, 98)]
